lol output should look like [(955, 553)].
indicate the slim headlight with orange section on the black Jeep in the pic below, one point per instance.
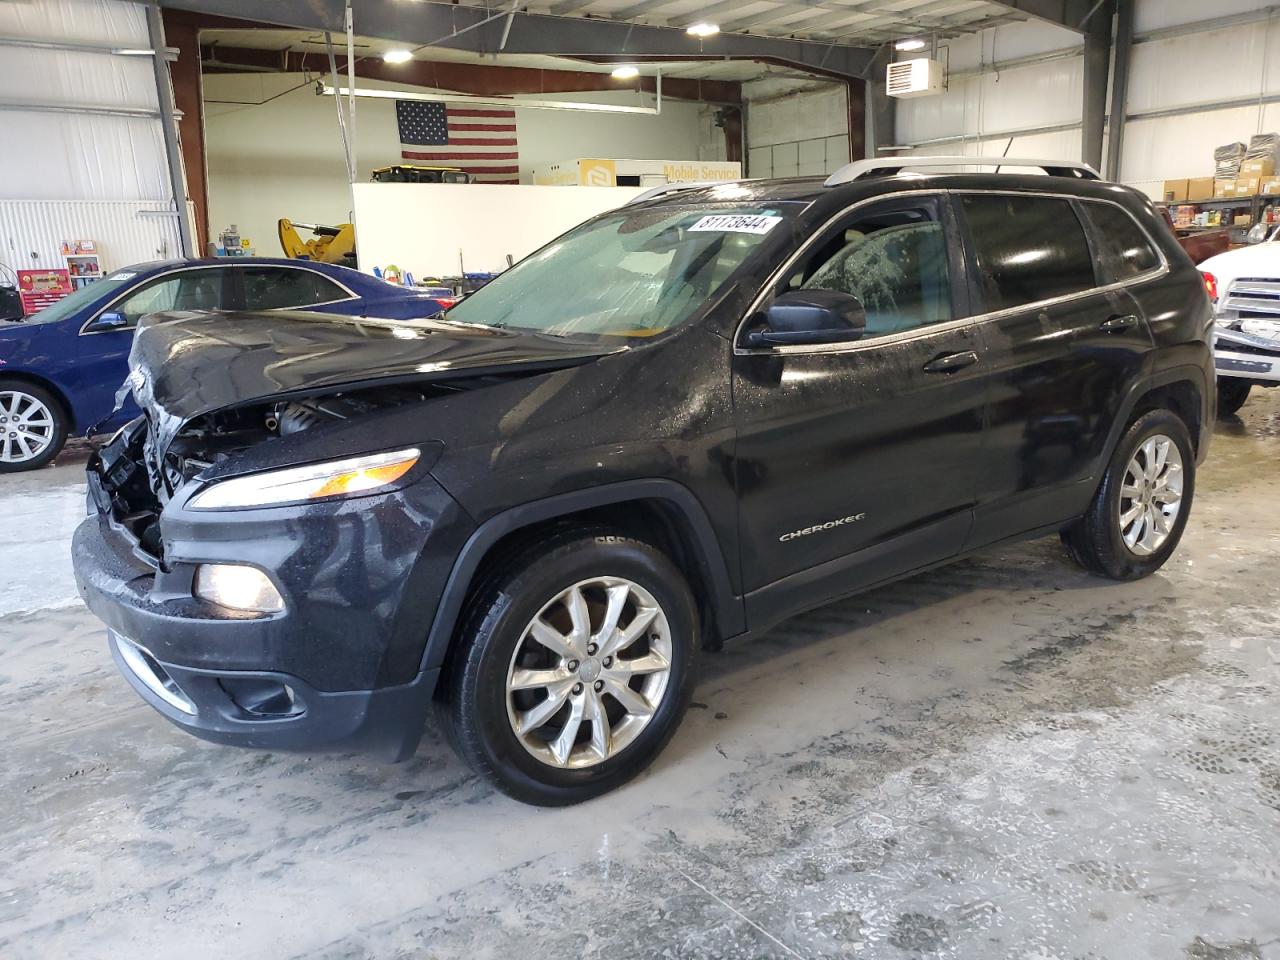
[(316, 482)]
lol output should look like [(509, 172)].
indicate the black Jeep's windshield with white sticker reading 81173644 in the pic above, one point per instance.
[(633, 273)]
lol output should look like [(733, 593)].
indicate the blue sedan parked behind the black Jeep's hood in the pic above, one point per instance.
[(62, 368)]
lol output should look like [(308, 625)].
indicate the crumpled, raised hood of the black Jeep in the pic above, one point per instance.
[(185, 364)]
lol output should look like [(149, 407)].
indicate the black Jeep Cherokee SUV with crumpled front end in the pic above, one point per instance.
[(680, 423)]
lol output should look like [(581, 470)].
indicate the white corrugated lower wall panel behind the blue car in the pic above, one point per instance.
[(127, 232)]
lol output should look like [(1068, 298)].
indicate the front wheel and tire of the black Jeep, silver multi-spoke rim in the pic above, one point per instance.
[(574, 670)]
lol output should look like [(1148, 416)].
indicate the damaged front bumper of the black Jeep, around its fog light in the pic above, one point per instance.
[(339, 670)]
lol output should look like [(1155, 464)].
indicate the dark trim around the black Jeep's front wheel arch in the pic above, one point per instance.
[(729, 606)]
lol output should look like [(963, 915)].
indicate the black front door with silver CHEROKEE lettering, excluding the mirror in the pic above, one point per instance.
[(858, 463)]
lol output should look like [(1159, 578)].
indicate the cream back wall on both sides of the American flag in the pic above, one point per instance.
[(277, 153)]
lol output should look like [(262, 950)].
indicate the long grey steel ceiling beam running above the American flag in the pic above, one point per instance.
[(481, 31)]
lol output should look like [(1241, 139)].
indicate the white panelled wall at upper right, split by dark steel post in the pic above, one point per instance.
[(989, 99)]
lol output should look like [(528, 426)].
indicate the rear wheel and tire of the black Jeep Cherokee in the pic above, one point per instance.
[(1141, 509)]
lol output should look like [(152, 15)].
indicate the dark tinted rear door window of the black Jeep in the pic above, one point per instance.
[(1028, 249)]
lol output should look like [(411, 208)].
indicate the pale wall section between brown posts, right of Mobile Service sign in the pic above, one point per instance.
[(796, 131)]
